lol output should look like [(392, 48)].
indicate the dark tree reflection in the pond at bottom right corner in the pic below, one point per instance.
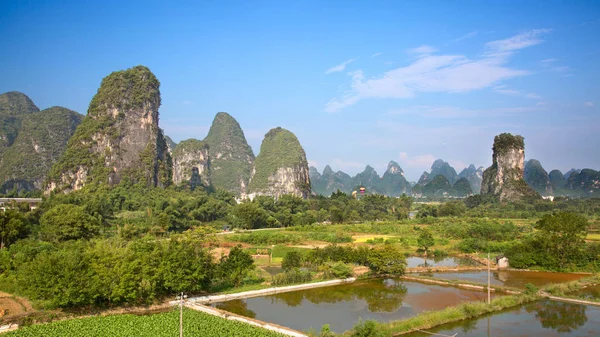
[(560, 316)]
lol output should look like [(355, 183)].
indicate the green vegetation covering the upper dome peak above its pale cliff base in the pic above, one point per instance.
[(279, 149)]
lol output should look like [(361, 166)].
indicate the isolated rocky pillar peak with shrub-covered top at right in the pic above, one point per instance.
[(504, 178)]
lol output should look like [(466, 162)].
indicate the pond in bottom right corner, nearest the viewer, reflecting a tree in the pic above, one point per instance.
[(542, 318)]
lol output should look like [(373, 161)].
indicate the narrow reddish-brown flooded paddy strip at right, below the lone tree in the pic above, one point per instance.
[(510, 278)]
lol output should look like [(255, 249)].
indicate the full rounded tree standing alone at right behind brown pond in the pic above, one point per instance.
[(564, 232)]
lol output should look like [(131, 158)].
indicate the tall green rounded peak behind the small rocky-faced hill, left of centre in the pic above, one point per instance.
[(230, 155)]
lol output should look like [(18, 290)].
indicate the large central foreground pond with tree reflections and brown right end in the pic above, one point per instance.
[(341, 306)]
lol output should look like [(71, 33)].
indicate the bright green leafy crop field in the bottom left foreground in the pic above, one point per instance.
[(157, 325)]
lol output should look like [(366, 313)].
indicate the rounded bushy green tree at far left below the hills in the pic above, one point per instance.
[(68, 222)]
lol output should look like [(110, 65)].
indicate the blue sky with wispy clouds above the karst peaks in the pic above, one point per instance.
[(358, 82)]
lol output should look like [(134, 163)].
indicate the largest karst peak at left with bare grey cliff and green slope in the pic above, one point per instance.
[(119, 138)]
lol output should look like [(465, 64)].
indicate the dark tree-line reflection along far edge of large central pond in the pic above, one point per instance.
[(380, 296)]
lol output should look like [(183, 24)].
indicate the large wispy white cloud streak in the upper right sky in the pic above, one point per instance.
[(440, 73)]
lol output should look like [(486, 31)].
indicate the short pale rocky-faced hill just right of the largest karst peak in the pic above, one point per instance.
[(191, 163)]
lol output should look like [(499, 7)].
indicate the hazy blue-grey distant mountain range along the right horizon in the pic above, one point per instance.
[(443, 181)]
